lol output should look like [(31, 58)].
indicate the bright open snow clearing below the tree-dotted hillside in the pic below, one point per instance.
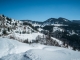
[(30, 37)]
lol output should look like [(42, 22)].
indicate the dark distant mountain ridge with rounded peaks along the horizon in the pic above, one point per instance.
[(59, 20)]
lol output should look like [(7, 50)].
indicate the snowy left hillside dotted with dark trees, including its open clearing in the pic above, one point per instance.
[(15, 29)]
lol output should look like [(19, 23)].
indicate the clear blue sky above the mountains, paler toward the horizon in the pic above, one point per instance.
[(40, 10)]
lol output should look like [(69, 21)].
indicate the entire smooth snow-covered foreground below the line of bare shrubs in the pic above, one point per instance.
[(14, 50)]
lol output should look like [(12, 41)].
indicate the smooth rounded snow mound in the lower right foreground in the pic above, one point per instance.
[(62, 54)]
